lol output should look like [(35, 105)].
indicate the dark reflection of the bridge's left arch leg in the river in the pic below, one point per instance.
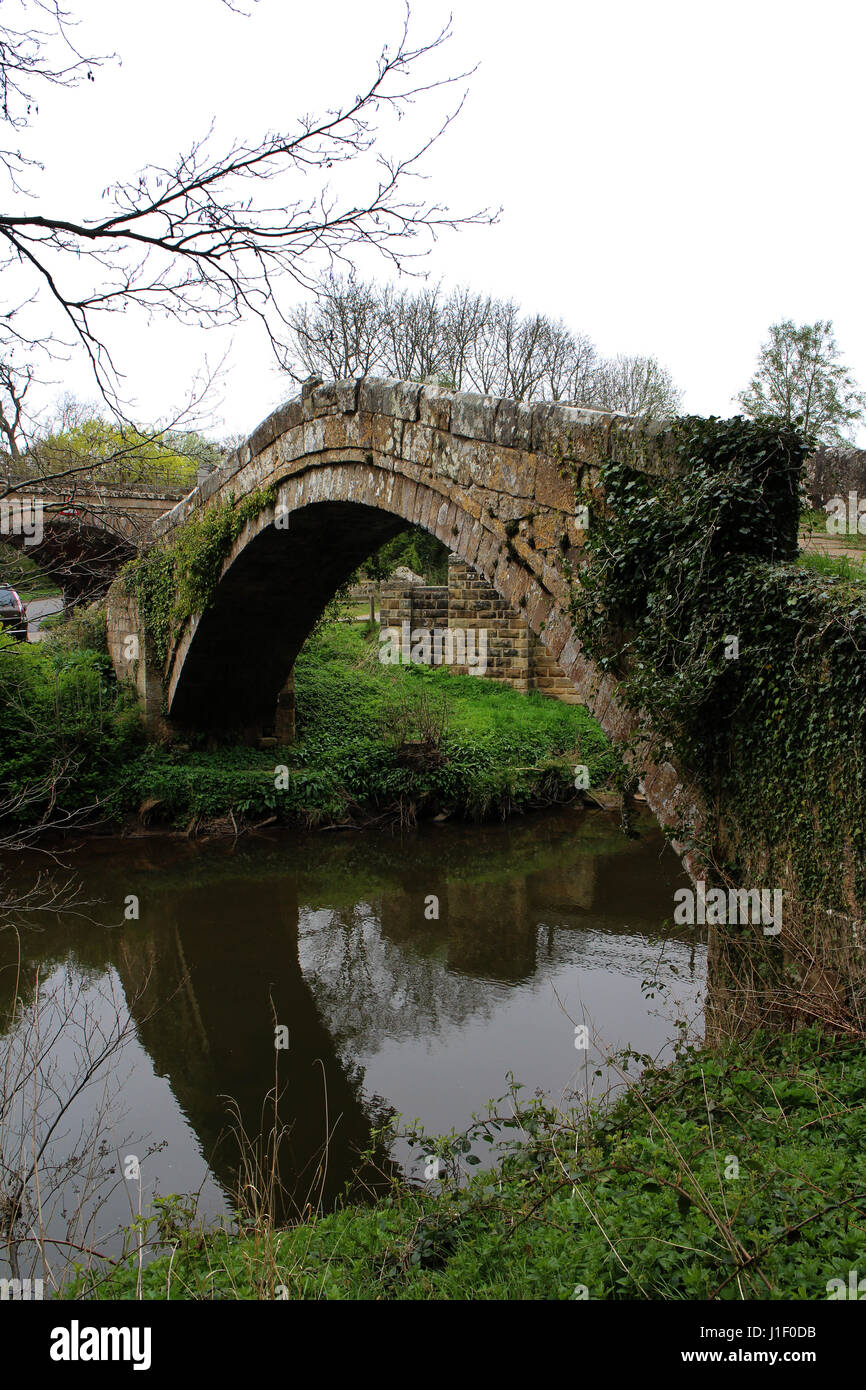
[(213, 1032)]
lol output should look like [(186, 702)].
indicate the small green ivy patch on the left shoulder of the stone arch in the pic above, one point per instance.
[(170, 584)]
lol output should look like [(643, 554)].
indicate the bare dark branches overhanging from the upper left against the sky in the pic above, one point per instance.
[(219, 234)]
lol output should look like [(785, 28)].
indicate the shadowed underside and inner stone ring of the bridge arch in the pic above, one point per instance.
[(286, 566)]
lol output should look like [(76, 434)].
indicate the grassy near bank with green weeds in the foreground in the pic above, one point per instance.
[(732, 1175)]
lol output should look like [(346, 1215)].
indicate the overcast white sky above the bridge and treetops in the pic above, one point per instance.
[(675, 176)]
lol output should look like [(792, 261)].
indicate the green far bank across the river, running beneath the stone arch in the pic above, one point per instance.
[(373, 742)]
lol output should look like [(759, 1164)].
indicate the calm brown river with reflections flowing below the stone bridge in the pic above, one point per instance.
[(402, 975)]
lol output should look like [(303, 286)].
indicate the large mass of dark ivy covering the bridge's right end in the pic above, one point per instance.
[(772, 725)]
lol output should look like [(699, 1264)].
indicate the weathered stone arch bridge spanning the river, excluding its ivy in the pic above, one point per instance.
[(351, 464)]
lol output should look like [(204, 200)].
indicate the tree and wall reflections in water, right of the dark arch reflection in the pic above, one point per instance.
[(382, 971)]
